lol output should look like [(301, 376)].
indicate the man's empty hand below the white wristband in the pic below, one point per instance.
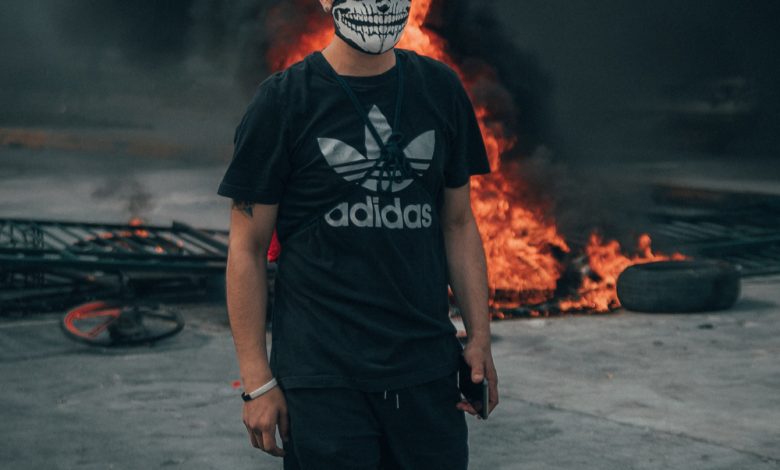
[(261, 417)]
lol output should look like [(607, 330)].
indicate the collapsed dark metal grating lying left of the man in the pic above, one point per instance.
[(47, 265)]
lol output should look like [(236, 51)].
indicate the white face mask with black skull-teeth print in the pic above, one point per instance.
[(371, 26)]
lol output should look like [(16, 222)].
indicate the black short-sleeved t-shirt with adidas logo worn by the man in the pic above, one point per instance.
[(361, 286)]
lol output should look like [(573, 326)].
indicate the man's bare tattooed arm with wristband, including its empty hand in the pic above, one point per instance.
[(251, 229)]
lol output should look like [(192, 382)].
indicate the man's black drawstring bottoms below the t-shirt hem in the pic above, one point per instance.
[(417, 427)]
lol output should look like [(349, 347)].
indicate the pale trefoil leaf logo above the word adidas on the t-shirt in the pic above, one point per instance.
[(352, 165)]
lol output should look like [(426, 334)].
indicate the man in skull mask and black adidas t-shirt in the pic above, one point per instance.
[(359, 156)]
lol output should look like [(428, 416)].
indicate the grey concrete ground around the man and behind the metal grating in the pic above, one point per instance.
[(617, 391)]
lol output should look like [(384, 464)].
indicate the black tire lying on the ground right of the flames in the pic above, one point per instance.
[(679, 287)]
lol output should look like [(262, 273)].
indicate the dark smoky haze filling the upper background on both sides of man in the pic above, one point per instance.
[(582, 78)]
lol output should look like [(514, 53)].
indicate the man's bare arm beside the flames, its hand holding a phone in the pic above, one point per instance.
[(468, 279)]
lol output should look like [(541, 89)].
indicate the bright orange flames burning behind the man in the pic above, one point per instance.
[(523, 246)]
